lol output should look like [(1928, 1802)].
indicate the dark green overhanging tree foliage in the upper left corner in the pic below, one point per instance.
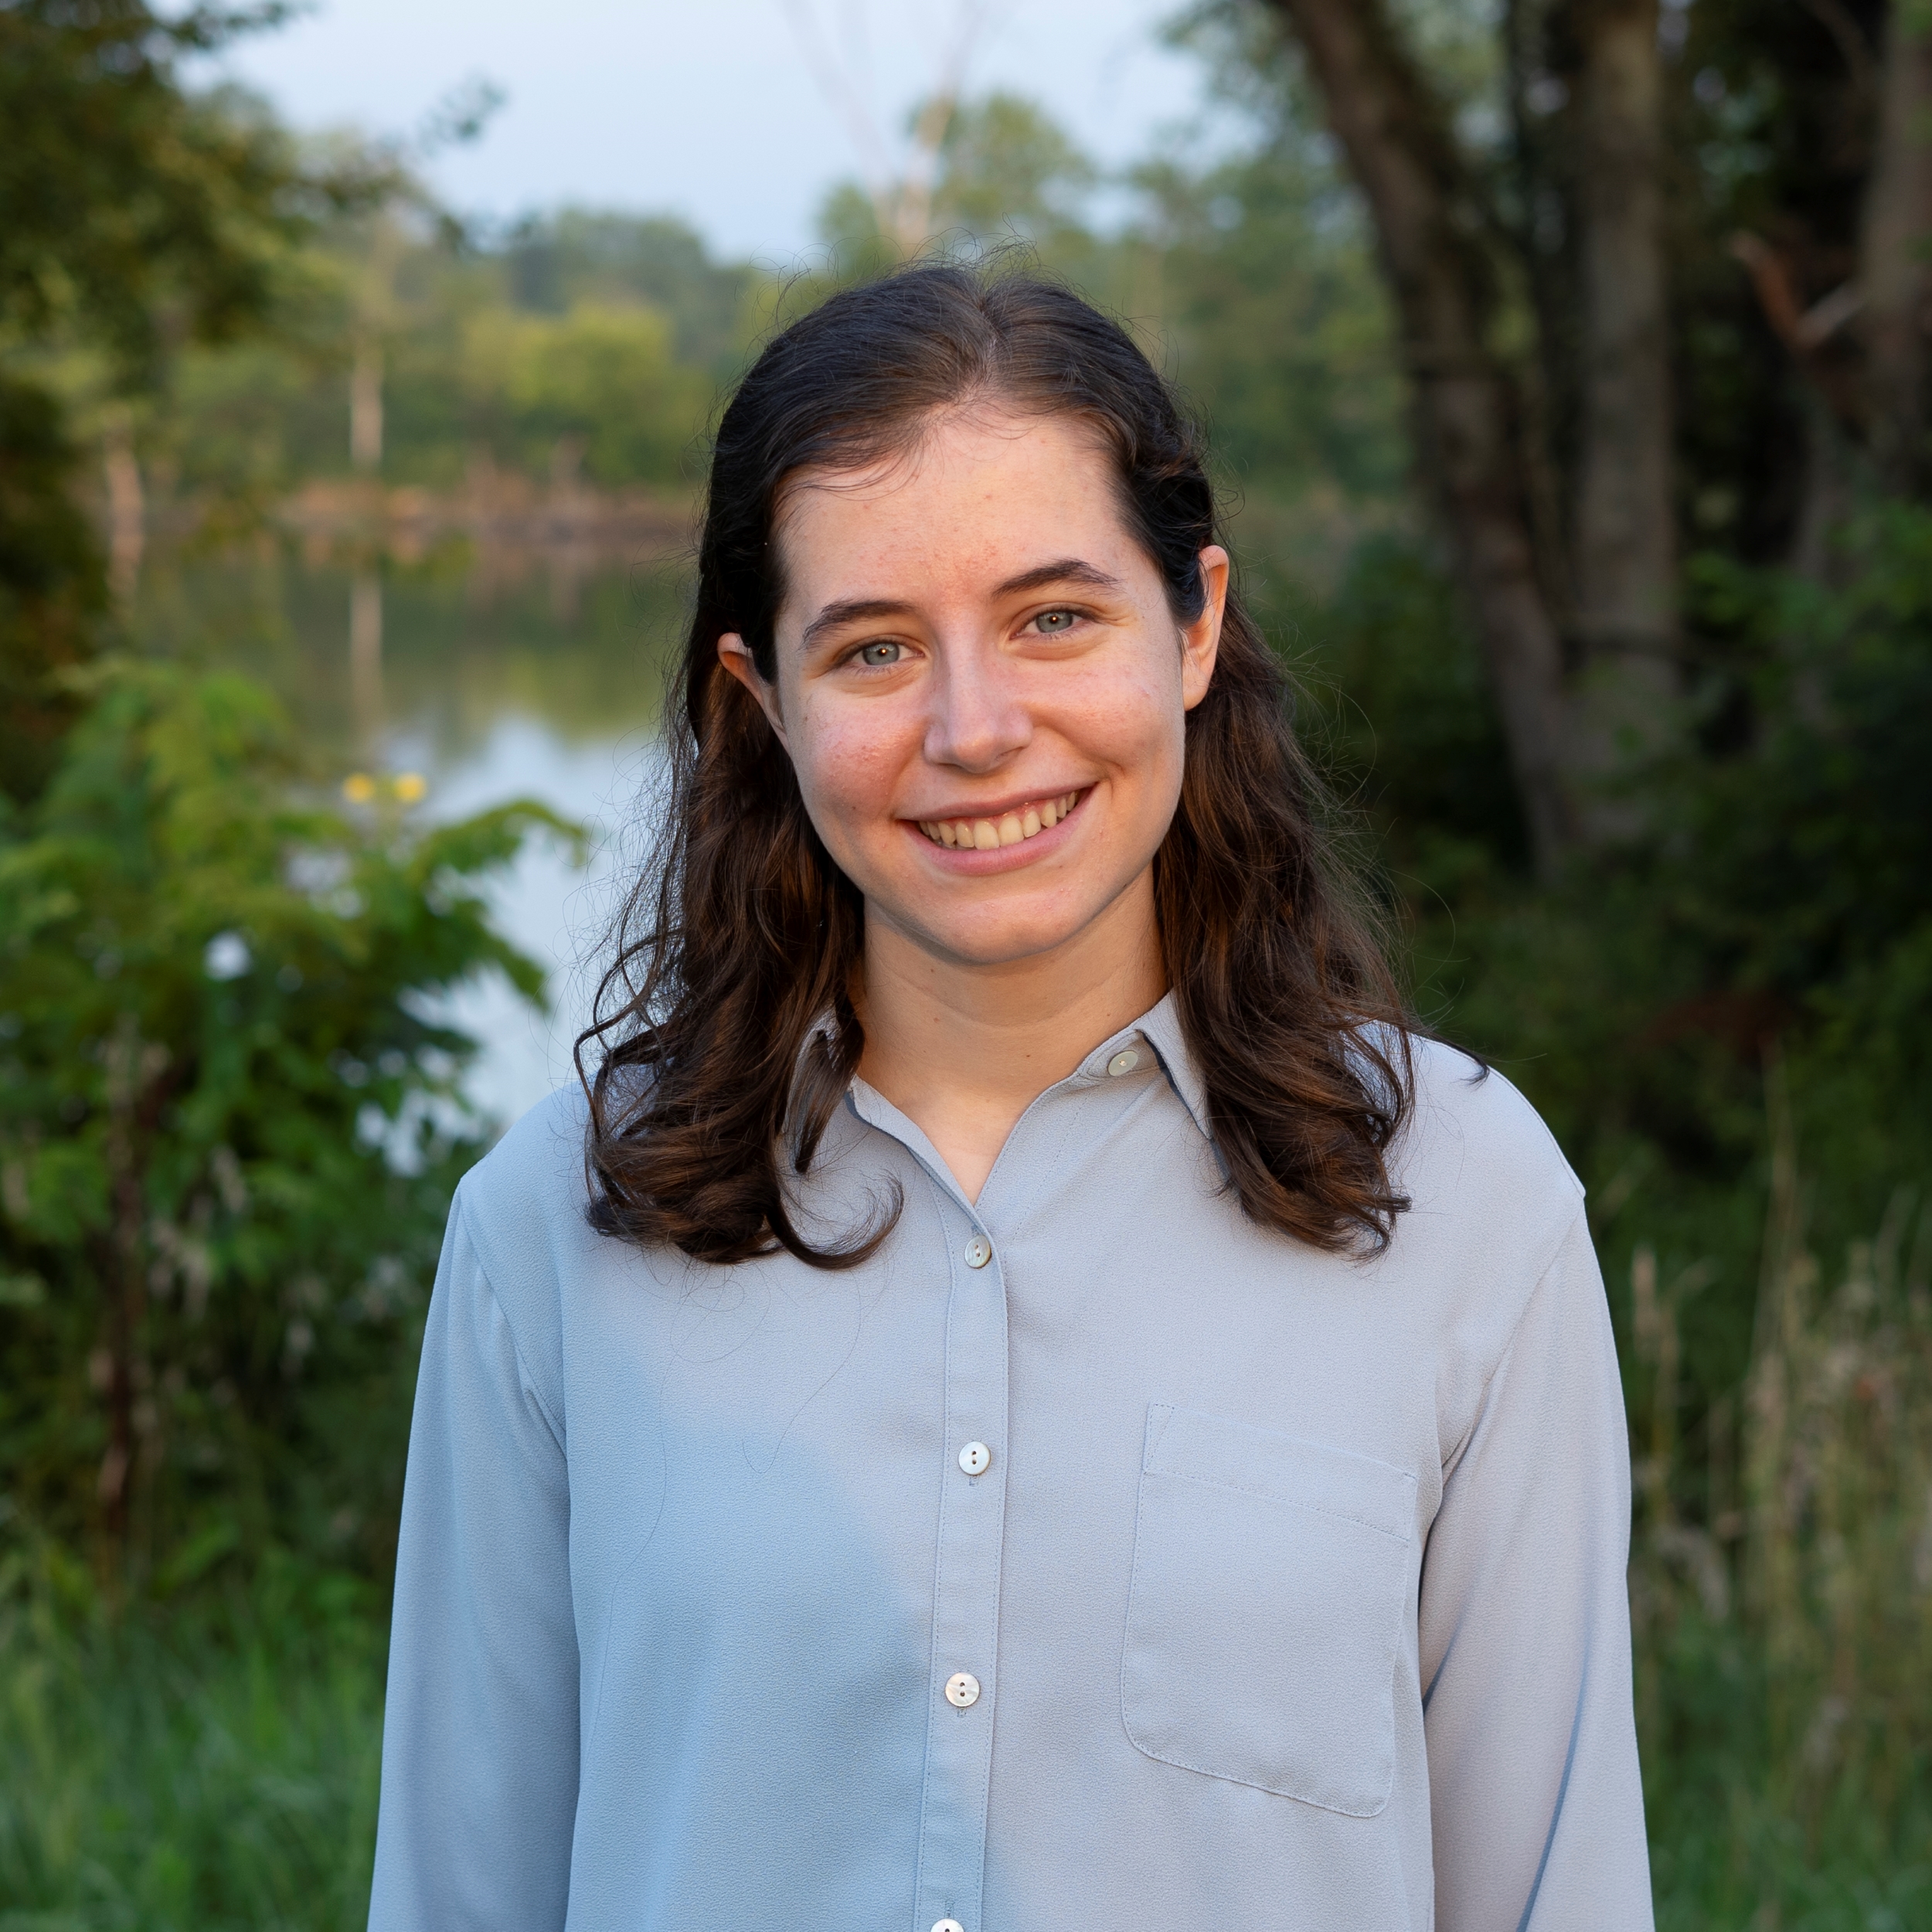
[(134, 217)]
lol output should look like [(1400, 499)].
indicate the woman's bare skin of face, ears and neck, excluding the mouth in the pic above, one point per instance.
[(959, 695)]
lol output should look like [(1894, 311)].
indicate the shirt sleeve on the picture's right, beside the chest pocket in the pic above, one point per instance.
[(1525, 1632)]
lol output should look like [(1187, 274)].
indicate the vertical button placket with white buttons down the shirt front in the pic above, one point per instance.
[(959, 1742)]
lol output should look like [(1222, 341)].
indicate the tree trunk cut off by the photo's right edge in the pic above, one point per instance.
[(1894, 271)]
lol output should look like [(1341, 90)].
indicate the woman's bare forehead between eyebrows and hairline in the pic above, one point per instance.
[(977, 496)]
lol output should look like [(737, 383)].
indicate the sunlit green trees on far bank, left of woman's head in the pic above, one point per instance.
[(586, 341)]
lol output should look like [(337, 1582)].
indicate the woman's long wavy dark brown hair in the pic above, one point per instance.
[(725, 1031)]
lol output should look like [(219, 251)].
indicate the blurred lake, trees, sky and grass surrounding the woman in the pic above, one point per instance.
[(1566, 366)]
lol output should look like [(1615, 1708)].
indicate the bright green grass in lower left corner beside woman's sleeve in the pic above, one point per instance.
[(206, 1773)]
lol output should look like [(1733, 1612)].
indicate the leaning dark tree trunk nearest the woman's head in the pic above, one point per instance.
[(1429, 227)]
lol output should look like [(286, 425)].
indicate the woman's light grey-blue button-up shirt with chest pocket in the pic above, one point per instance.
[(1290, 1591)]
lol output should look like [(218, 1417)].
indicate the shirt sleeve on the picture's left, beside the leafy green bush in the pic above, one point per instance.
[(480, 1744)]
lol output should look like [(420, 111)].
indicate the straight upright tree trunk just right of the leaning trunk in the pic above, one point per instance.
[(1624, 523)]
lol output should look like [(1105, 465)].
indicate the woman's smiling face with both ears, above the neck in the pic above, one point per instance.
[(982, 689)]
